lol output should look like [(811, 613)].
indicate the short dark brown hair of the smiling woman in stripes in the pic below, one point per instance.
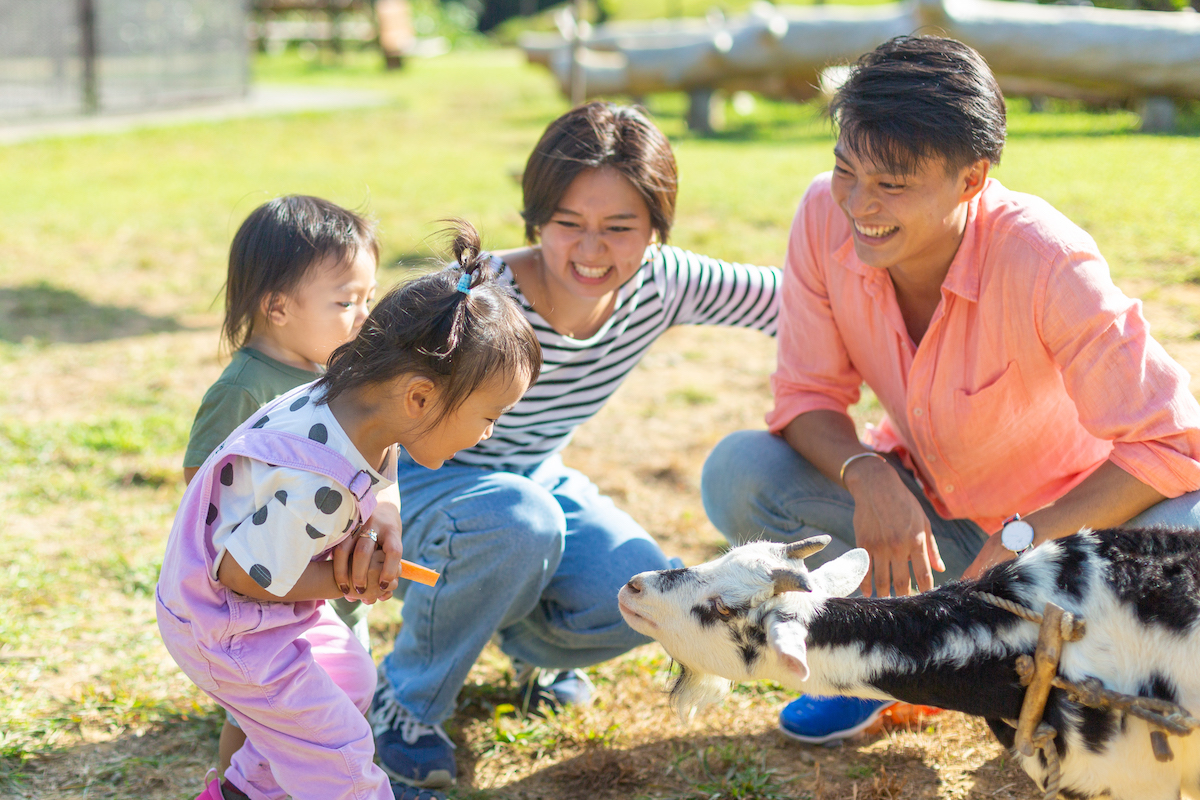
[(601, 135)]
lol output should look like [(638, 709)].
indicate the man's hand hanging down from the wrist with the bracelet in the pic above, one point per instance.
[(892, 527)]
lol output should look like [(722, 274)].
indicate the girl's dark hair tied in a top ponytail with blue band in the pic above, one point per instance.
[(459, 340)]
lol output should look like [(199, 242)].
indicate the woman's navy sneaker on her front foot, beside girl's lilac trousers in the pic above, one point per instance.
[(409, 750)]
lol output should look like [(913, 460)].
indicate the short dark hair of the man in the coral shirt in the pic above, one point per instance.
[(919, 98)]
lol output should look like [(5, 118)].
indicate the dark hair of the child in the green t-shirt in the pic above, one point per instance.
[(277, 248)]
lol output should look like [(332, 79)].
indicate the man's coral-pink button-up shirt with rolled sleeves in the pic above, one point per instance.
[(1034, 372)]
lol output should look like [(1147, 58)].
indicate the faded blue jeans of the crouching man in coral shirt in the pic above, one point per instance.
[(757, 486)]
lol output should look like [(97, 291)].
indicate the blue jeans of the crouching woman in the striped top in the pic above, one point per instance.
[(536, 558)]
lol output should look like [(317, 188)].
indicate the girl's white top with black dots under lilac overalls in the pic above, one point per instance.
[(275, 520)]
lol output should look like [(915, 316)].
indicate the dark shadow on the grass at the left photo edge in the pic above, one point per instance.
[(47, 314)]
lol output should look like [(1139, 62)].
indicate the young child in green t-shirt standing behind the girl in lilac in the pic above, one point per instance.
[(302, 276)]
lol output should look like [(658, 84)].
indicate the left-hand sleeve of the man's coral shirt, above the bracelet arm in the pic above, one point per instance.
[(814, 370)]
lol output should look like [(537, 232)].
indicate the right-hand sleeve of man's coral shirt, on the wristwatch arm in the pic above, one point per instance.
[(1125, 387)]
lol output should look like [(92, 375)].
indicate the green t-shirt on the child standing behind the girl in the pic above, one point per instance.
[(249, 383)]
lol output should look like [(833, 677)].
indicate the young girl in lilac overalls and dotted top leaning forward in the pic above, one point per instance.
[(239, 606)]
